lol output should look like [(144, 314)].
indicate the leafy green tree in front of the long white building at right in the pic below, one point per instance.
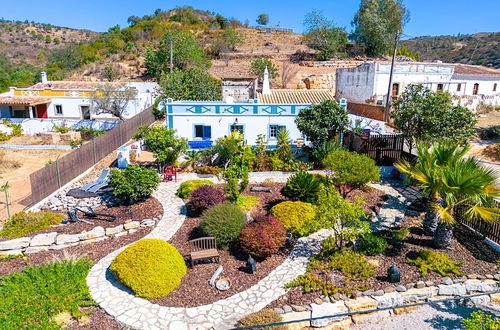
[(431, 116)]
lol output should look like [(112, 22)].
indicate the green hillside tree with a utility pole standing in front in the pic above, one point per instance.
[(186, 53)]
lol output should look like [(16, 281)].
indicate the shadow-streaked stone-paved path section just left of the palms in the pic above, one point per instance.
[(393, 210)]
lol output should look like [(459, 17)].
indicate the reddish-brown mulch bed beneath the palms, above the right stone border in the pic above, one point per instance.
[(477, 257)]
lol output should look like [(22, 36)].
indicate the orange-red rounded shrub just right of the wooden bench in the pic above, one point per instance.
[(263, 237)]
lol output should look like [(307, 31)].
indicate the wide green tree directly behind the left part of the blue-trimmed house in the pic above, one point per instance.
[(191, 84)]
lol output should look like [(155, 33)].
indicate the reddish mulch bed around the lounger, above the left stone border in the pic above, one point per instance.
[(146, 209)]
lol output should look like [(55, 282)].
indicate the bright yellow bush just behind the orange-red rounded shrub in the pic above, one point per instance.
[(297, 217)]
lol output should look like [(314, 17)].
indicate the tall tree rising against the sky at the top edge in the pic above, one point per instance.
[(377, 23)]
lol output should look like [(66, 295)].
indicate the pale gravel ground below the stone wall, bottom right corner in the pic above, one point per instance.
[(436, 316)]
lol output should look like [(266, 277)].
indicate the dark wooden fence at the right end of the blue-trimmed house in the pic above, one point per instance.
[(384, 149)]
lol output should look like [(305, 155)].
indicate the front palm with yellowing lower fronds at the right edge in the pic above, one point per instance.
[(469, 187)]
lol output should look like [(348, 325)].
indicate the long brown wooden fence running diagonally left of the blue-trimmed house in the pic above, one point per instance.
[(51, 177)]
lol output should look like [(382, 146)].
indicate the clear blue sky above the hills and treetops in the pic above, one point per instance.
[(427, 17)]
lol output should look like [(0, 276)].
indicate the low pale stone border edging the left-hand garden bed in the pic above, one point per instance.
[(55, 241)]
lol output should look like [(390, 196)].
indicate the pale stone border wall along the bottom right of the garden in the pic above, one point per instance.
[(327, 306)]
